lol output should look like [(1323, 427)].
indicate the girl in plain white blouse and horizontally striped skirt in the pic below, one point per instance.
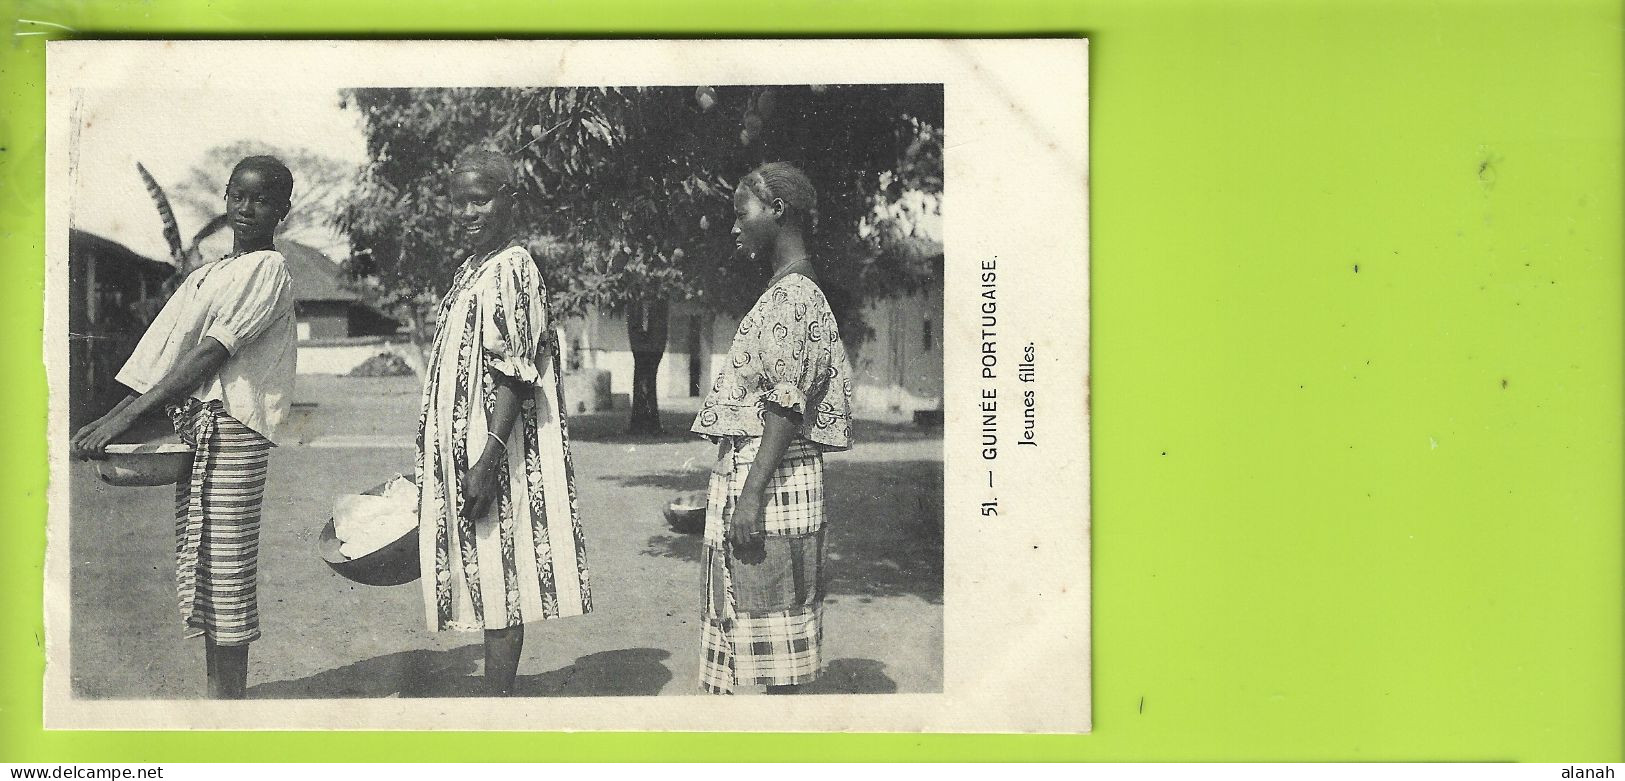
[(220, 361)]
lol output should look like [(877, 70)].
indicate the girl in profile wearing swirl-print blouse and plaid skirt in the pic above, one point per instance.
[(781, 400)]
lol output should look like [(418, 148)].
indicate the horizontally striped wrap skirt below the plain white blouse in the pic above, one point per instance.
[(219, 524)]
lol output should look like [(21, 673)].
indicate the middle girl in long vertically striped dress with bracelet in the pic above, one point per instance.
[(500, 533)]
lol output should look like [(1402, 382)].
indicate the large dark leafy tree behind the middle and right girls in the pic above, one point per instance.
[(626, 194)]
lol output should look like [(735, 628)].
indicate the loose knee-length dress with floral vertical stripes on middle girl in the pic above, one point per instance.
[(526, 559)]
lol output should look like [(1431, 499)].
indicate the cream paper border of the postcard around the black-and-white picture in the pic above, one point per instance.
[(1023, 556)]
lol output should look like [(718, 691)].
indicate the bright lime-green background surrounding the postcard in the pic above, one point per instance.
[(1340, 516)]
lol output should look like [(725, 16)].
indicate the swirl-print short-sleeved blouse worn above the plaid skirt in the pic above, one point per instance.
[(786, 353)]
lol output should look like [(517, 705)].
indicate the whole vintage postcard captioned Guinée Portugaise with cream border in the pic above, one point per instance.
[(570, 386)]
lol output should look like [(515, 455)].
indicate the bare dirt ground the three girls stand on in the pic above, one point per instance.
[(329, 637)]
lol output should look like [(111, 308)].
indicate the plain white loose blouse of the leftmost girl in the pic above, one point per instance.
[(248, 304)]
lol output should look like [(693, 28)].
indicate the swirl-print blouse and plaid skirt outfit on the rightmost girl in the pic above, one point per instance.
[(763, 615)]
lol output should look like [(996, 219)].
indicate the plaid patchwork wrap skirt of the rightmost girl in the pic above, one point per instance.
[(763, 605)]
